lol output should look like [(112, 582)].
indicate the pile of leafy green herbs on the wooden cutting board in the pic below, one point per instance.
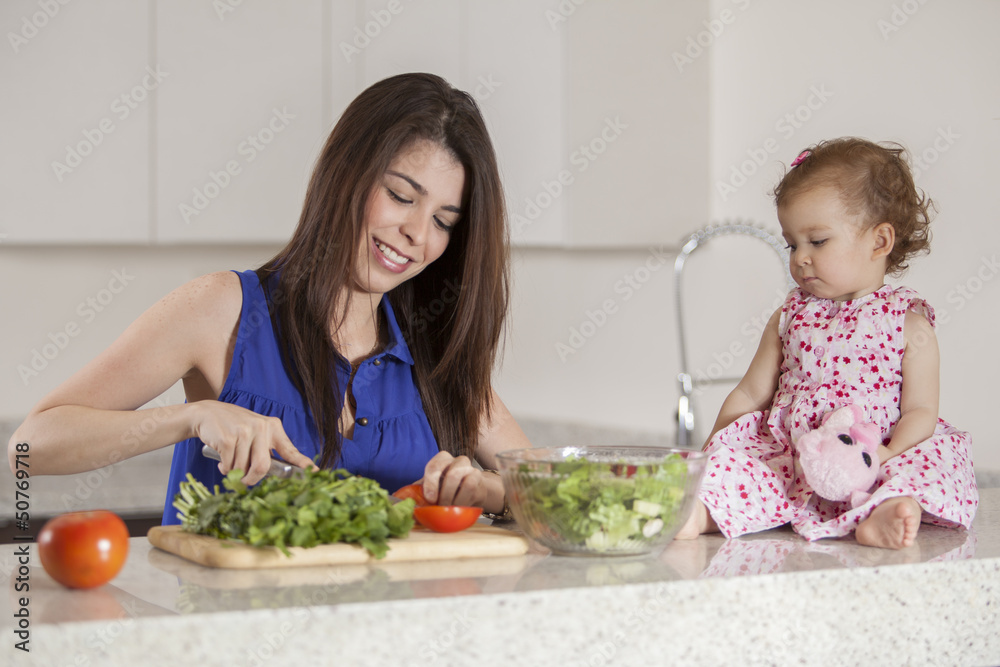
[(315, 507)]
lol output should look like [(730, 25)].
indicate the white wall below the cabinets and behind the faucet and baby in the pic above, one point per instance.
[(936, 74)]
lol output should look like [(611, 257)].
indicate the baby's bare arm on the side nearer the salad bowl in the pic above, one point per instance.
[(756, 390)]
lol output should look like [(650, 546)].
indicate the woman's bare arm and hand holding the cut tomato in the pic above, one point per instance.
[(450, 480)]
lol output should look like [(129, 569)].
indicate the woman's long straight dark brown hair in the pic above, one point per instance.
[(451, 314)]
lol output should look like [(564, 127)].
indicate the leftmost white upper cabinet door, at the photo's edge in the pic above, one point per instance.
[(78, 86)]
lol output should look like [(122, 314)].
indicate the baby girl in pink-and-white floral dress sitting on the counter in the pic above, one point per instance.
[(851, 214)]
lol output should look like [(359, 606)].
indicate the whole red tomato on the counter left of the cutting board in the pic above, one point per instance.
[(83, 549)]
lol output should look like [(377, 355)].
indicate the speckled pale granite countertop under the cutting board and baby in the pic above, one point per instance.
[(767, 599)]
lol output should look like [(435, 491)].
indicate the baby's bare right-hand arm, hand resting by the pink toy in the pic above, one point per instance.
[(918, 403)]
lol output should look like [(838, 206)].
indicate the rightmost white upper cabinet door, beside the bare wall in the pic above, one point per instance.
[(638, 122)]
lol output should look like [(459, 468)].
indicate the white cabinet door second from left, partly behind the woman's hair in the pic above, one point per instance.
[(240, 120)]
